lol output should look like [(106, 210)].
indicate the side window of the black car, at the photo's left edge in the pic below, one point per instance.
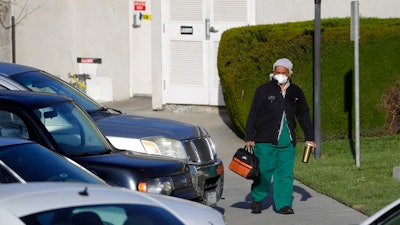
[(11, 125)]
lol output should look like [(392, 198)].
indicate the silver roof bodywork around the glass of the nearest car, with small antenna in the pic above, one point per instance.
[(39, 194)]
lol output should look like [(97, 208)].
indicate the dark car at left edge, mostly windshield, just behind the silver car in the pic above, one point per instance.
[(27, 161)]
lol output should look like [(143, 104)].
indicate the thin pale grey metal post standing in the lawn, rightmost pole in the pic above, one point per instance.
[(356, 36)]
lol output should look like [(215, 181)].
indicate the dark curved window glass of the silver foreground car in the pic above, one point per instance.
[(112, 214)]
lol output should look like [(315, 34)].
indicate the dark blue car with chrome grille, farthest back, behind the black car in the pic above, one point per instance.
[(132, 132)]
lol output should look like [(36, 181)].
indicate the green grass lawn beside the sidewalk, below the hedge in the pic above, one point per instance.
[(366, 188)]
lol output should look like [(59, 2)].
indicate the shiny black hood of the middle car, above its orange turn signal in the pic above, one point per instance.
[(149, 165)]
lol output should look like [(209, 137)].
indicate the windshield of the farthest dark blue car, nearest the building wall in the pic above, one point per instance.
[(41, 81)]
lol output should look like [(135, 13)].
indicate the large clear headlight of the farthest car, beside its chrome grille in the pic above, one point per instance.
[(164, 146)]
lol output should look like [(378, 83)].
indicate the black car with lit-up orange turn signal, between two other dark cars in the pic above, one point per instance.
[(59, 124)]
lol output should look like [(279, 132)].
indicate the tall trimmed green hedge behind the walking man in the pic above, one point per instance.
[(246, 55)]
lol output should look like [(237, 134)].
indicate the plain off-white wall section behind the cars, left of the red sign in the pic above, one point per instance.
[(60, 31)]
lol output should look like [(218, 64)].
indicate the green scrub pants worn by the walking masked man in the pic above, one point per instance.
[(276, 162)]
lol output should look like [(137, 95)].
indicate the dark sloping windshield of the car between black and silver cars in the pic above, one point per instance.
[(34, 163)]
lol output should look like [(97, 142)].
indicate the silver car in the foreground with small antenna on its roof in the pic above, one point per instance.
[(83, 204)]
